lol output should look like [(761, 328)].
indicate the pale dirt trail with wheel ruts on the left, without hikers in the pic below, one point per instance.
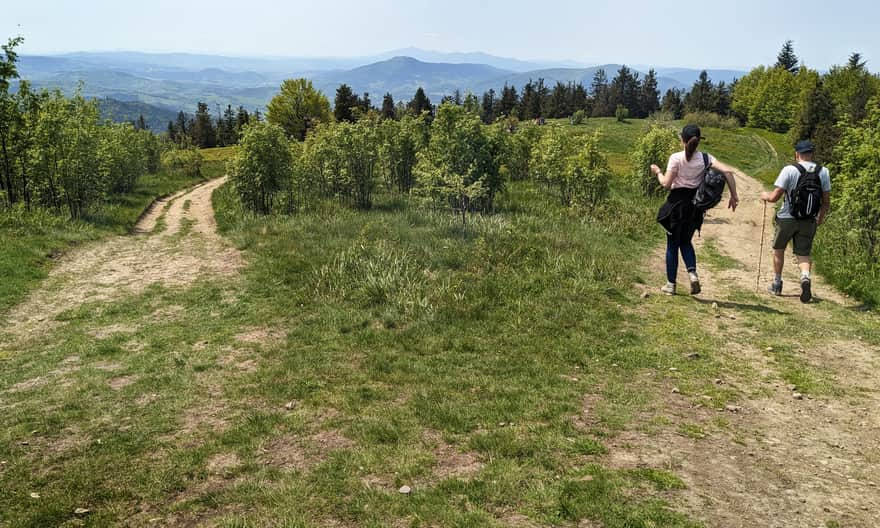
[(175, 243)]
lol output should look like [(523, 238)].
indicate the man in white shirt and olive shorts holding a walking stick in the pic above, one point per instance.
[(806, 187)]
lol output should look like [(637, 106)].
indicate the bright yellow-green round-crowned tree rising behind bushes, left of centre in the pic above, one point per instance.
[(297, 108)]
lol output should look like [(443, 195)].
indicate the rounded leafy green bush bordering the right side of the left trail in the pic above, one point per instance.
[(261, 166)]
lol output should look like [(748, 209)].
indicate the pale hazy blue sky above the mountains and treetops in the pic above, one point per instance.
[(737, 33)]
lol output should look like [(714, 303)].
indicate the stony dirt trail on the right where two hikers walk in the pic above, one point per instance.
[(781, 461)]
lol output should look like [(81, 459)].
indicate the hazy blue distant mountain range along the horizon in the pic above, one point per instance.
[(177, 81)]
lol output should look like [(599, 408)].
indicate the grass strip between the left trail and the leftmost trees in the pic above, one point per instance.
[(29, 242)]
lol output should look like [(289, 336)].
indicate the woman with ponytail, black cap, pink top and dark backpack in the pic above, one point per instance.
[(684, 173)]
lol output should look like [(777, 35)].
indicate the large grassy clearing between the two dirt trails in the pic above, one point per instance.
[(488, 369)]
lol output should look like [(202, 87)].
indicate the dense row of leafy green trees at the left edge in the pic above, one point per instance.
[(56, 153)]
